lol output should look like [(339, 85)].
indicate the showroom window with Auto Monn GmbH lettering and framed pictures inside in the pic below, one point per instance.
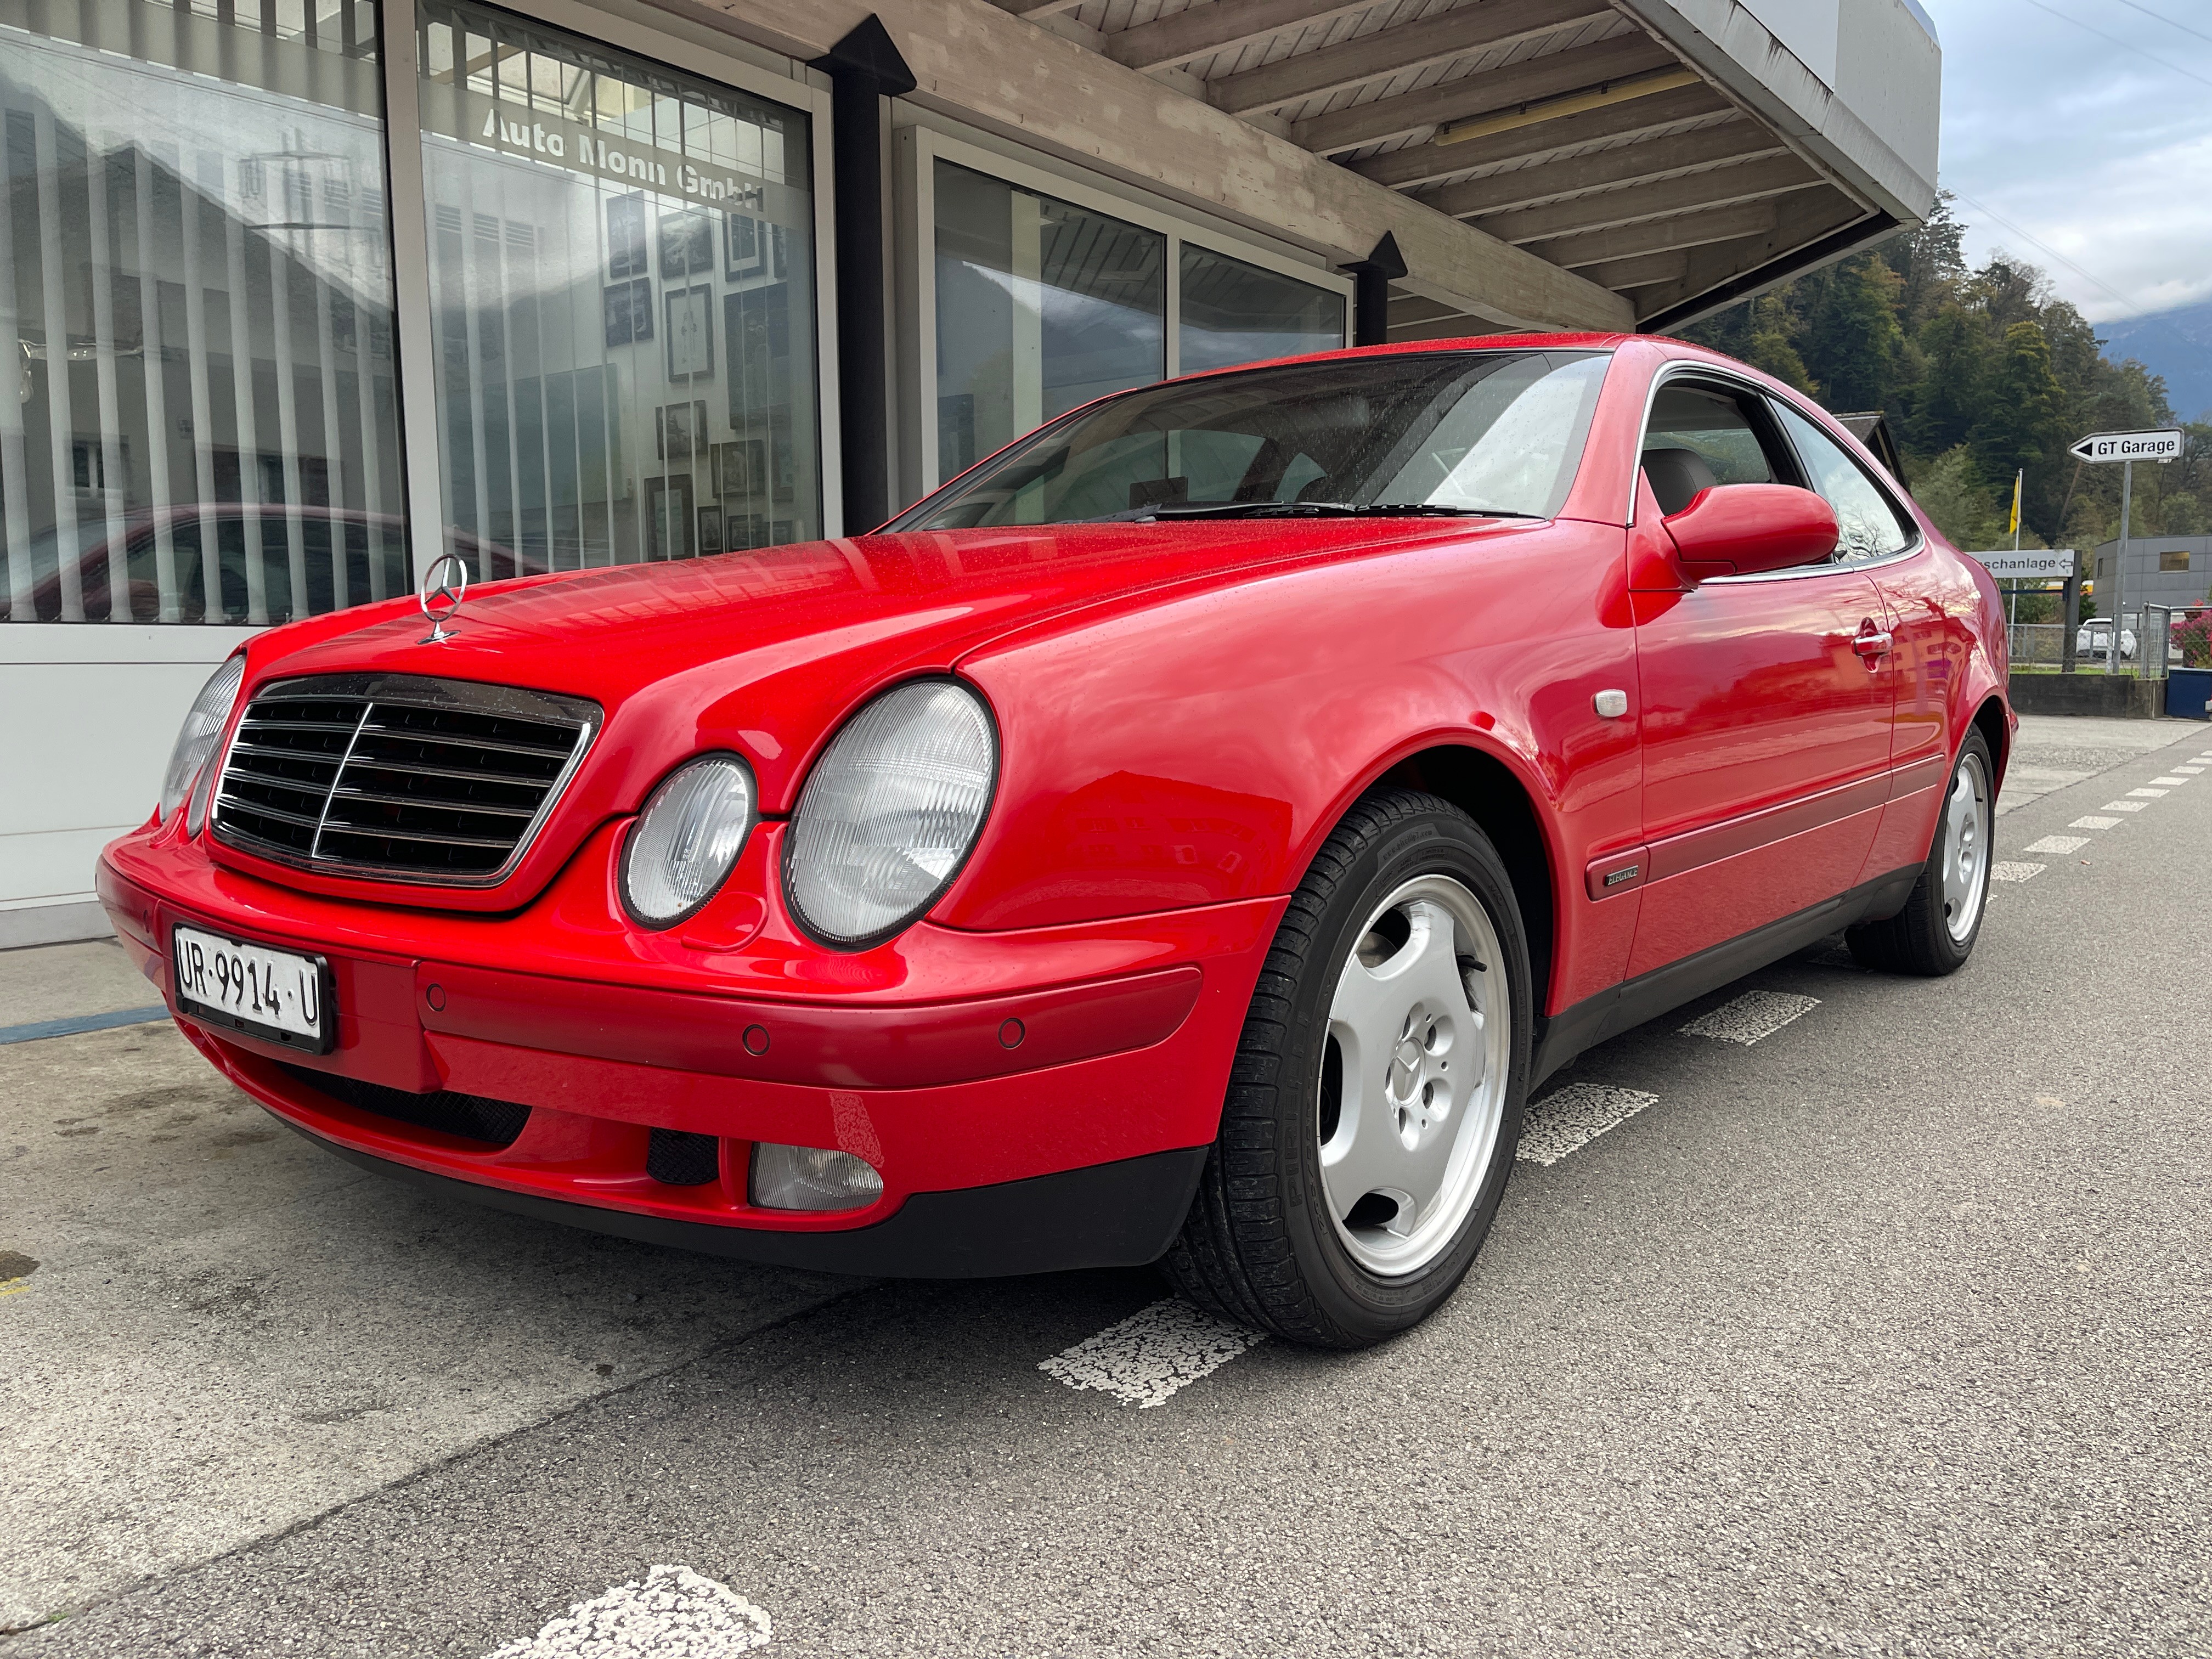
[(623, 286)]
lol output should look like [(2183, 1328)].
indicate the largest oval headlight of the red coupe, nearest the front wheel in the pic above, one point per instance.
[(890, 811)]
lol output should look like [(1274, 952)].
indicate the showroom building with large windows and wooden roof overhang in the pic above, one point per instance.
[(306, 293)]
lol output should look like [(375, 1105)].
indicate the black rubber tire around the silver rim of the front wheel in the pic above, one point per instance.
[(1434, 842)]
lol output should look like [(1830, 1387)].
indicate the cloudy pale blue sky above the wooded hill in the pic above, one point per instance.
[(2089, 127)]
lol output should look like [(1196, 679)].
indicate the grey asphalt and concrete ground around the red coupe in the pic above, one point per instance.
[(1850, 1315)]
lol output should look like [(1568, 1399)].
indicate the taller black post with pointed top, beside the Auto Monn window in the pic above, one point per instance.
[(864, 70)]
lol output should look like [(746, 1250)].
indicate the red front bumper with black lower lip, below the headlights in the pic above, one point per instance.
[(1034, 1100)]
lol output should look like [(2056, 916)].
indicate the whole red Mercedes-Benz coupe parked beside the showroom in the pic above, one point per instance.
[(1187, 837)]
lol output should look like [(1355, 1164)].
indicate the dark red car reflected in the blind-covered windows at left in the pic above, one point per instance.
[(364, 536)]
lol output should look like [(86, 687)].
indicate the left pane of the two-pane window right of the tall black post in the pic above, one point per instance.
[(1041, 309)]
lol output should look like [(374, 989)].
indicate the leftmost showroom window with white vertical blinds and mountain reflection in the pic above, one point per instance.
[(196, 293)]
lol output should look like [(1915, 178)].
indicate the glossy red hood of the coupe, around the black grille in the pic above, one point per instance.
[(766, 651)]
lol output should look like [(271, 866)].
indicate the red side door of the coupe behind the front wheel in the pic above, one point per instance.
[(1766, 700)]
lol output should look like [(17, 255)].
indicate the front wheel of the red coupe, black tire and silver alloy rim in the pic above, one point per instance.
[(1277, 1238)]
